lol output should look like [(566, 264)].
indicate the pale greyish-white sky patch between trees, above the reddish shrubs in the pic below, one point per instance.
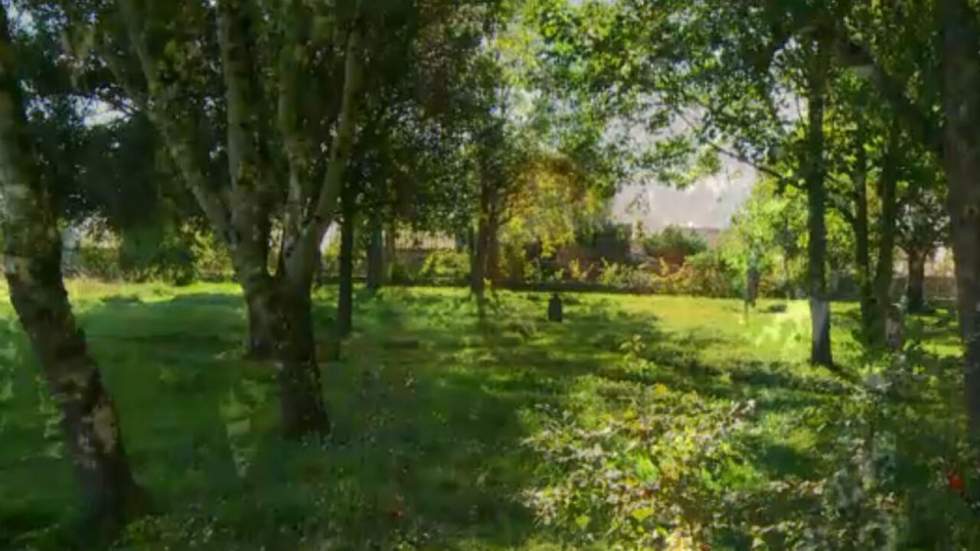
[(710, 202)]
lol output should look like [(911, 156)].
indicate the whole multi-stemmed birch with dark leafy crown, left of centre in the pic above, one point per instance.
[(264, 138)]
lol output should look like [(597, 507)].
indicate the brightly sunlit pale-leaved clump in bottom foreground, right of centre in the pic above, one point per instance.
[(654, 474)]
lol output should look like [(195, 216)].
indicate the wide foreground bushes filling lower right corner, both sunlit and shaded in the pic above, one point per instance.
[(650, 467)]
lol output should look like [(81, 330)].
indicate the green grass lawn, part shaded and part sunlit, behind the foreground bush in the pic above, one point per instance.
[(431, 410)]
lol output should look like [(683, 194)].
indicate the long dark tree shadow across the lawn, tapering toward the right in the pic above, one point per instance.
[(429, 409)]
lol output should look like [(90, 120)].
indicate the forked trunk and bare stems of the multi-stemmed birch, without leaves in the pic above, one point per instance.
[(279, 305)]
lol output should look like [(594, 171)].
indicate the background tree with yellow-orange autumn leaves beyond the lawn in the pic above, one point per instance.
[(537, 144)]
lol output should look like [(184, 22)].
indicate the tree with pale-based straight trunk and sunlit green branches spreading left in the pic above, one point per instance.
[(714, 78)]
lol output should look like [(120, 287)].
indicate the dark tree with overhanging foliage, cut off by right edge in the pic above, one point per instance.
[(942, 113)]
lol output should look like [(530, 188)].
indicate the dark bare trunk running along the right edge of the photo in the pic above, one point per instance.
[(961, 152)]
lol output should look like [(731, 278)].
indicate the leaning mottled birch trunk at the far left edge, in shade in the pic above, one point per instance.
[(32, 251)]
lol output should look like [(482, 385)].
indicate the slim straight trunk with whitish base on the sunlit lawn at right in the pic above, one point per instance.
[(820, 347)]
